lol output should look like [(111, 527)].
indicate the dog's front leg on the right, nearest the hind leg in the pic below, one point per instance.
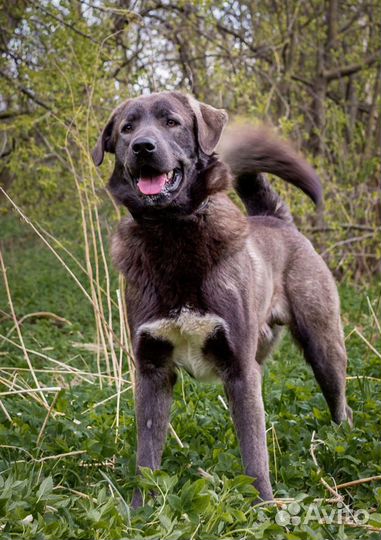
[(243, 387)]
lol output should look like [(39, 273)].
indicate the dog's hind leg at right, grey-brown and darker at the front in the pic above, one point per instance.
[(316, 326)]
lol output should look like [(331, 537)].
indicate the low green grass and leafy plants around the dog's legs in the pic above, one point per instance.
[(200, 492)]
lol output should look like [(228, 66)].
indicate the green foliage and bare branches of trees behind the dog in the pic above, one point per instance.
[(65, 65)]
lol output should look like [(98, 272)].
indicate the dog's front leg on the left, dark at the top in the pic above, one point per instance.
[(154, 384)]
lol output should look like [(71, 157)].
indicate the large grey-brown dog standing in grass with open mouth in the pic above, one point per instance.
[(209, 288)]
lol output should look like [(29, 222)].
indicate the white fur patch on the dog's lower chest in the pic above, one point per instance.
[(188, 333)]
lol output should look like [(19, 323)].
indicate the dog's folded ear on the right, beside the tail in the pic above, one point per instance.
[(210, 123)]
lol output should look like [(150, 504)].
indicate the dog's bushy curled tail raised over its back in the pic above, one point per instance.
[(250, 151)]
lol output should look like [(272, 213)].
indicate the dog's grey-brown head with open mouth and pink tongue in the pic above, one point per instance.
[(162, 144)]
